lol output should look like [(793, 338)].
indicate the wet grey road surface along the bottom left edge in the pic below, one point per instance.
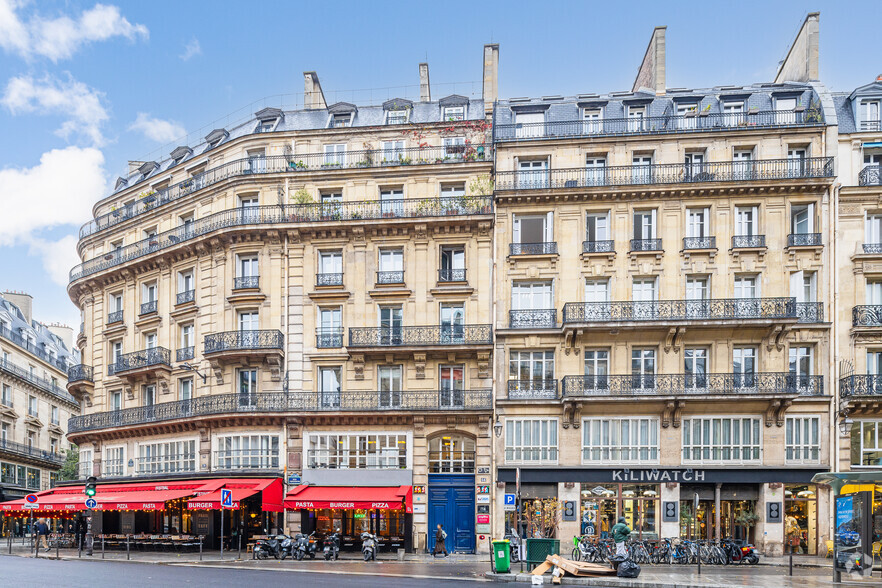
[(18, 571)]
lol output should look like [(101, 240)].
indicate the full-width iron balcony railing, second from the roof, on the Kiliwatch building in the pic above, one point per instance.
[(667, 173)]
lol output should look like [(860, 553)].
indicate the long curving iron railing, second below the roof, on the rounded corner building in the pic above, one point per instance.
[(410, 208)]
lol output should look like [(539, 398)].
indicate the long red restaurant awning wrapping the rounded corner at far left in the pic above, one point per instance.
[(147, 495)]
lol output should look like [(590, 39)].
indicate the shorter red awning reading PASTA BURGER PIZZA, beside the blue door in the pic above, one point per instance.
[(370, 498)]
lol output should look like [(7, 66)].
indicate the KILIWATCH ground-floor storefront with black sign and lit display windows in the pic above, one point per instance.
[(771, 508)]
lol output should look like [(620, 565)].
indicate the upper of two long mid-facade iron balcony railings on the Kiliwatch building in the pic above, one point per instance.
[(708, 309)]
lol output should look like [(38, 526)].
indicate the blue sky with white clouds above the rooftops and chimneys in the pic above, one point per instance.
[(85, 87)]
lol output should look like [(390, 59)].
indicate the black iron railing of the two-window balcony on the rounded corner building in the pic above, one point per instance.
[(427, 335)]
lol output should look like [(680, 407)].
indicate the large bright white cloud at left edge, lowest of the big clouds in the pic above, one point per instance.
[(58, 191)]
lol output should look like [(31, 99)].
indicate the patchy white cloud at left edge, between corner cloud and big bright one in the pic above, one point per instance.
[(79, 104)]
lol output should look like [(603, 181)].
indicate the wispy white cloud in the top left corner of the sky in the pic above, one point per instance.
[(59, 38)]
